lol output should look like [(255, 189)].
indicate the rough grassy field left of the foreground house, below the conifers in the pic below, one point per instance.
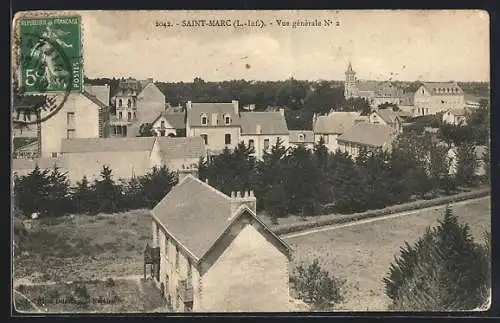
[(84, 247)]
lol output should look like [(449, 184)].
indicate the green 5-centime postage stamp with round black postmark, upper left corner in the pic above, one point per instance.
[(48, 66)]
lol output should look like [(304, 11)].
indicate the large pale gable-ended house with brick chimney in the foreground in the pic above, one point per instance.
[(211, 252)]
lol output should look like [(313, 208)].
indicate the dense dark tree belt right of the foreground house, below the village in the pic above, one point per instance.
[(302, 181)]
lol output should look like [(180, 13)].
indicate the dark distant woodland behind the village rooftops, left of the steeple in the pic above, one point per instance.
[(300, 99)]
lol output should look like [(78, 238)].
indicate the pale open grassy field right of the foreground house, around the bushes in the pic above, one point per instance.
[(362, 254)]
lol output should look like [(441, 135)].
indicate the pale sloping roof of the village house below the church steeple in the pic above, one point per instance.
[(369, 134)]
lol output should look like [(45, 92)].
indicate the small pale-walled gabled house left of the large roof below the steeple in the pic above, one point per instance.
[(331, 126)]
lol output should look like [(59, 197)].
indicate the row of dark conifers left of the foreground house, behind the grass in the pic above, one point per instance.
[(48, 192)]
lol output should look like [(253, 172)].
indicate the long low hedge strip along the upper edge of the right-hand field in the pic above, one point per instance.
[(344, 218)]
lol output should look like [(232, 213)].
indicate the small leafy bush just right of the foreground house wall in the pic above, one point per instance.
[(316, 287)]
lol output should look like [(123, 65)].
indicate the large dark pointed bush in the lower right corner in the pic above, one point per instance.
[(444, 270)]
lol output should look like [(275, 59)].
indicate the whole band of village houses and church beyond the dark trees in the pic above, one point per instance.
[(95, 129)]
